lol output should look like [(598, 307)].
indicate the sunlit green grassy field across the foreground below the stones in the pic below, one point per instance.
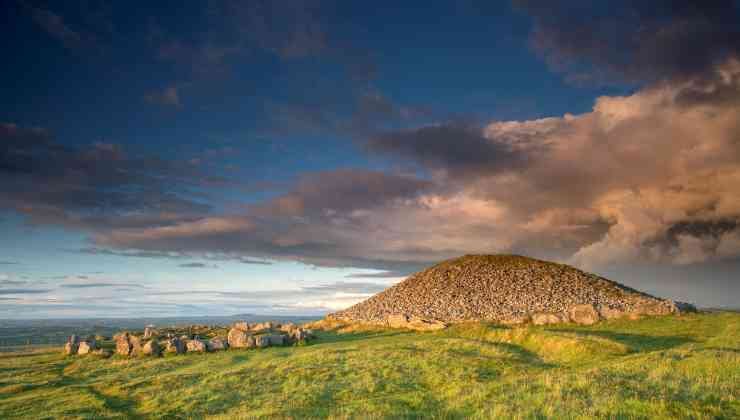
[(672, 367)]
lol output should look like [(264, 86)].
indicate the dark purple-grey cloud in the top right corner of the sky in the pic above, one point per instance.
[(635, 40)]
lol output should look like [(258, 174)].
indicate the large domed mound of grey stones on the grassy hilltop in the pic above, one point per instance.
[(502, 288)]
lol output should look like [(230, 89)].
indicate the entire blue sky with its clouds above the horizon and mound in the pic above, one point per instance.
[(296, 157)]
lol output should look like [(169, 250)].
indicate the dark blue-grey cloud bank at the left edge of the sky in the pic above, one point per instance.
[(93, 187)]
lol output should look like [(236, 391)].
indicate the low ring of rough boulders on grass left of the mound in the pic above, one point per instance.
[(153, 343)]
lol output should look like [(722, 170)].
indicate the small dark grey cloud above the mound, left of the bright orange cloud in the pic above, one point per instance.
[(458, 148)]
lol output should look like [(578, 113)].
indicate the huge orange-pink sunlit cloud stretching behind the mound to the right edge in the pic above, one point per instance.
[(649, 176)]
